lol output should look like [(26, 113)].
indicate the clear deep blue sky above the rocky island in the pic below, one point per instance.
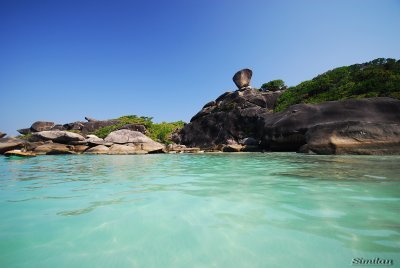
[(61, 60)]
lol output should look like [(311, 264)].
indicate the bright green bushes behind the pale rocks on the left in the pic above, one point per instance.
[(160, 132)]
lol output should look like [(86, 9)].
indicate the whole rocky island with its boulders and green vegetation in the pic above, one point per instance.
[(322, 116)]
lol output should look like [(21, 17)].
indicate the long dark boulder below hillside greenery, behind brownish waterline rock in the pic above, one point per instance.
[(286, 130)]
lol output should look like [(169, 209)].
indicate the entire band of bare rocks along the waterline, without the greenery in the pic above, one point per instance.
[(239, 121)]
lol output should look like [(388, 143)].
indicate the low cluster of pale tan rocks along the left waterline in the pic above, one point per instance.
[(52, 142)]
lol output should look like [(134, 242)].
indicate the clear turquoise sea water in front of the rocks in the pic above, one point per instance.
[(210, 210)]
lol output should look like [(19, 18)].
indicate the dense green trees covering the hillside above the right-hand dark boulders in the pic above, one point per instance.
[(378, 78)]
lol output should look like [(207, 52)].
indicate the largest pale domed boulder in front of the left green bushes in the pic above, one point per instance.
[(125, 136)]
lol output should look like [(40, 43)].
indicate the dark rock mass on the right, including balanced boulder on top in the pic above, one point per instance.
[(243, 120)]
